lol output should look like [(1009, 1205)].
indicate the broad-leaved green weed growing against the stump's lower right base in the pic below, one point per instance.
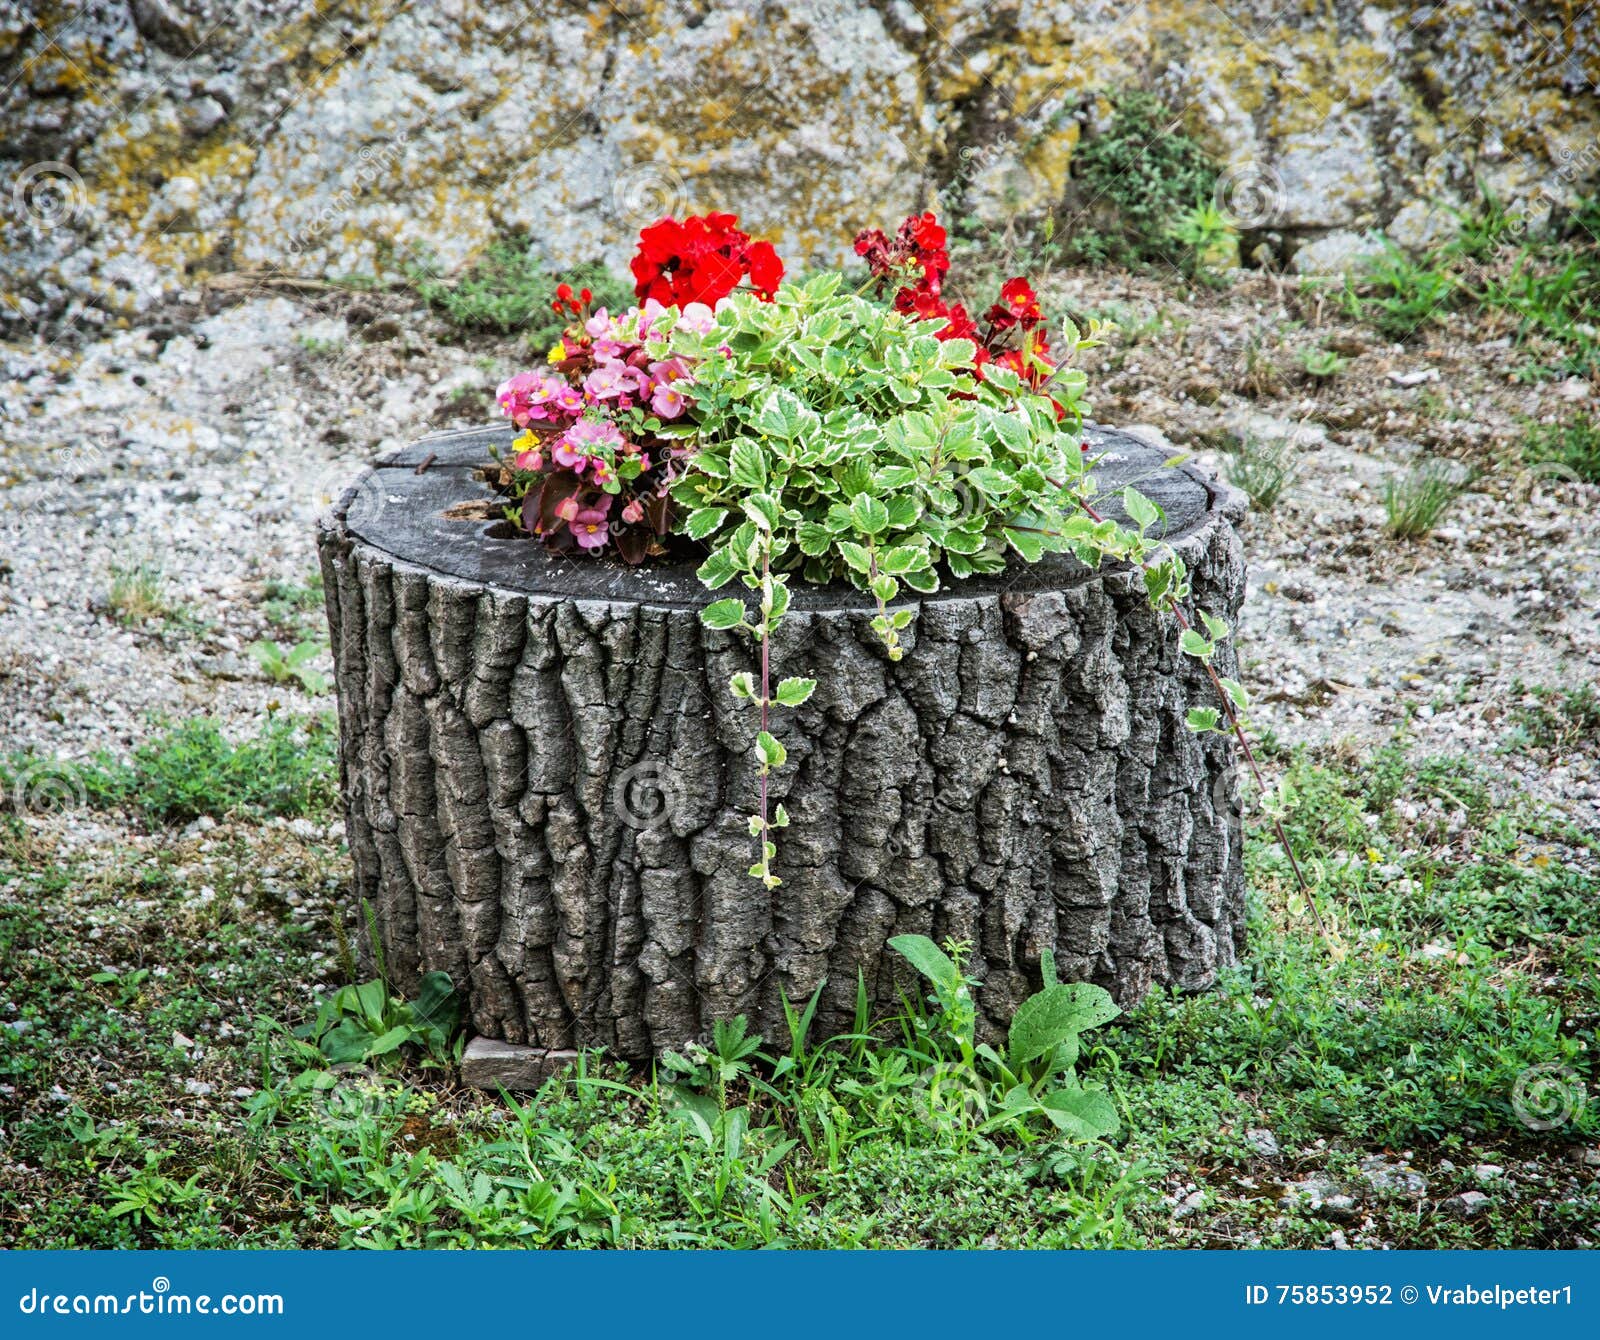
[(1034, 1077)]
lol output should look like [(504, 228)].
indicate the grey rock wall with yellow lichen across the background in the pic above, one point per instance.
[(345, 137)]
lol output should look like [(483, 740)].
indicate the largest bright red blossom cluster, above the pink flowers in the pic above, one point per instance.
[(702, 260)]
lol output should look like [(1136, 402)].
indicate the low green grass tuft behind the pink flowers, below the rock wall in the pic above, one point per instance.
[(510, 289)]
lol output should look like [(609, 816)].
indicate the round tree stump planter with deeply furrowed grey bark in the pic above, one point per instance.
[(548, 783)]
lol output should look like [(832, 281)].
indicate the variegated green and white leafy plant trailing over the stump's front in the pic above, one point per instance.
[(831, 444)]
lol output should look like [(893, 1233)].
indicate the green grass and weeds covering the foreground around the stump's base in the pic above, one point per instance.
[(161, 1099)]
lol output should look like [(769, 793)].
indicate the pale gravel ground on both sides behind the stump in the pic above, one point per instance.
[(206, 442)]
